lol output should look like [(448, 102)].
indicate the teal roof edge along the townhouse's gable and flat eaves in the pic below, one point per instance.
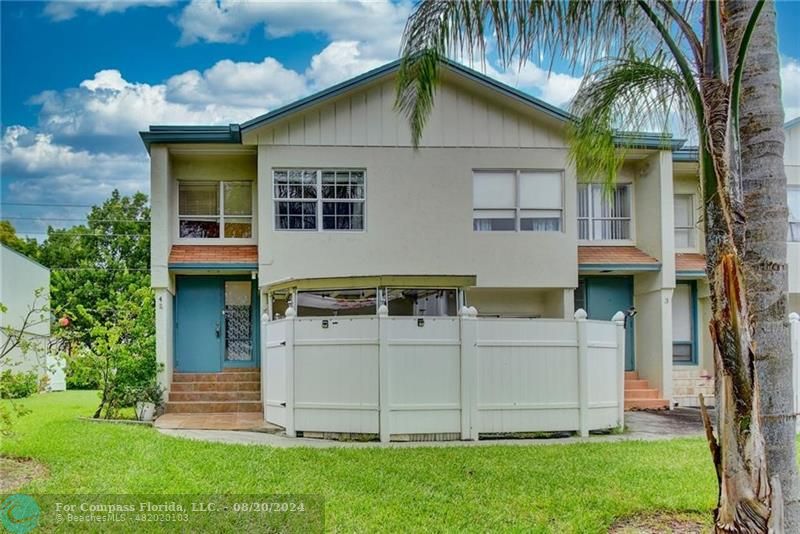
[(233, 132)]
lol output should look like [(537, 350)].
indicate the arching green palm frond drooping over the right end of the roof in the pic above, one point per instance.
[(631, 93)]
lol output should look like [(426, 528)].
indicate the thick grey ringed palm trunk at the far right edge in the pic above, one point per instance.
[(764, 191)]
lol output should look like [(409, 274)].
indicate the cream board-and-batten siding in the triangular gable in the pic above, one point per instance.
[(461, 118)]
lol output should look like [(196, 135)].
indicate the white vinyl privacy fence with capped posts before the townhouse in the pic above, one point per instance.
[(448, 376)]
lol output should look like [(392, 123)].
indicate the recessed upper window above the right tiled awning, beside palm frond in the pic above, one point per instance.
[(604, 215)]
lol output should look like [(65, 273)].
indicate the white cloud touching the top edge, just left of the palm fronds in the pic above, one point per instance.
[(378, 25)]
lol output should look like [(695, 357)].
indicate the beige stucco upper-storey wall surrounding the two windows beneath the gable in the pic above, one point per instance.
[(419, 219)]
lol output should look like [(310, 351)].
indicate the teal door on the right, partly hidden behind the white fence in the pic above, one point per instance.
[(606, 295)]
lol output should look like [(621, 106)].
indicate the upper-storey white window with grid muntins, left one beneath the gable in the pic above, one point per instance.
[(319, 199)]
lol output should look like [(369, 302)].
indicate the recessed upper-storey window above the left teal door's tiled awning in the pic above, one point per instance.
[(215, 210)]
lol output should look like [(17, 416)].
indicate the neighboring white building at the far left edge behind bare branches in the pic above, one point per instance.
[(20, 280)]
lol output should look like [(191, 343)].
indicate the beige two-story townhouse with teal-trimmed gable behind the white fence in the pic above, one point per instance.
[(325, 206)]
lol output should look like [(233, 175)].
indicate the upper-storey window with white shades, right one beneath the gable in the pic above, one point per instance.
[(517, 200)]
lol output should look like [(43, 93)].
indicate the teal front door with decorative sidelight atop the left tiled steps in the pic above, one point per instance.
[(215, 323)]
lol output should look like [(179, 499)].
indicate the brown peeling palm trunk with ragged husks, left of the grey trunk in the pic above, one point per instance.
[(738, 450)]
